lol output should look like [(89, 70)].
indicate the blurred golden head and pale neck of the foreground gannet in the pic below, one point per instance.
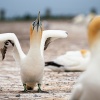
[(94, 36)]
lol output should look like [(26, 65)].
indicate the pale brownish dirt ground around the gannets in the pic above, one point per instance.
[(58, 85)]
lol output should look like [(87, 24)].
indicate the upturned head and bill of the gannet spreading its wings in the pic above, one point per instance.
[(36, 29)]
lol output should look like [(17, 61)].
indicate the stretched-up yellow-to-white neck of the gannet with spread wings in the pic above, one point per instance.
[(35, 39)]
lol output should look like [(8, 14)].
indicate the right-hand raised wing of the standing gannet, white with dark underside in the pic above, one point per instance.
[(51, 35)]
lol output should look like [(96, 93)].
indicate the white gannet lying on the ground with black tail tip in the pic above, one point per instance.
[(70, 61)]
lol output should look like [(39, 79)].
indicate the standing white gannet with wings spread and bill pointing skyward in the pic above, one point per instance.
[(32, 64)]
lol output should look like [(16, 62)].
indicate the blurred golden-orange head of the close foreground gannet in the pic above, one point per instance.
[(94, 30)]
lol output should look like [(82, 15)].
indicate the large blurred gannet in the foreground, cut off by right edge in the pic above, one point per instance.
[(88, 85)]
